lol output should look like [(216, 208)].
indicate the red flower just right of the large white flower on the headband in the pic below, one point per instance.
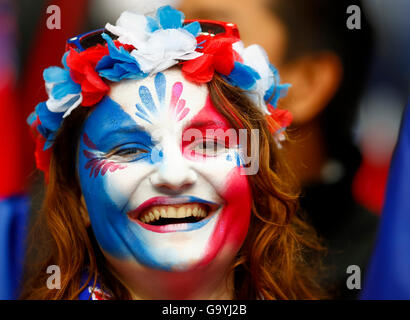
[(218, 56)]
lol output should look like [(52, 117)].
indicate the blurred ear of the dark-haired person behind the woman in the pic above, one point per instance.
[(315, 79)]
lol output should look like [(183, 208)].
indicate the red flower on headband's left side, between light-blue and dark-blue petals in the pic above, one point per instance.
[(82, 70)]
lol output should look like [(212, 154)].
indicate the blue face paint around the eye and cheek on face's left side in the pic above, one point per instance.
[(109, 128)]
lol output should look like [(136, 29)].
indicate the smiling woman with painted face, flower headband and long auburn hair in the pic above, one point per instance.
[(153, 192)]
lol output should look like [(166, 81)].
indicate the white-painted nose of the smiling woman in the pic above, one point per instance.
[(174, 175)]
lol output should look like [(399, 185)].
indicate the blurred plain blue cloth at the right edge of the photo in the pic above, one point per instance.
[(389, 274)]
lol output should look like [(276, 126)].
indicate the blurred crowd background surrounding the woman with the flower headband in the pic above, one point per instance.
[(349, 90)]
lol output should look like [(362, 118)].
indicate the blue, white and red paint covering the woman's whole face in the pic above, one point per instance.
[(135, 167)]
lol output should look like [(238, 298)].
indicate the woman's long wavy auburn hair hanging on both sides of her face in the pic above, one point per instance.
[(278, 259)]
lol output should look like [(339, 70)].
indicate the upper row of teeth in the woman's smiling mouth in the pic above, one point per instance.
[(182, 211)]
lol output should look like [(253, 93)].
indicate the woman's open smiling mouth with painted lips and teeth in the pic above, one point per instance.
[(164, 212)]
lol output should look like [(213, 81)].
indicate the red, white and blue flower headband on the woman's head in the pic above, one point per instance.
[(139, 46)]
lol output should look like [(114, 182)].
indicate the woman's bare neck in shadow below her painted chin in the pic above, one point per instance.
[(203, 283)]
